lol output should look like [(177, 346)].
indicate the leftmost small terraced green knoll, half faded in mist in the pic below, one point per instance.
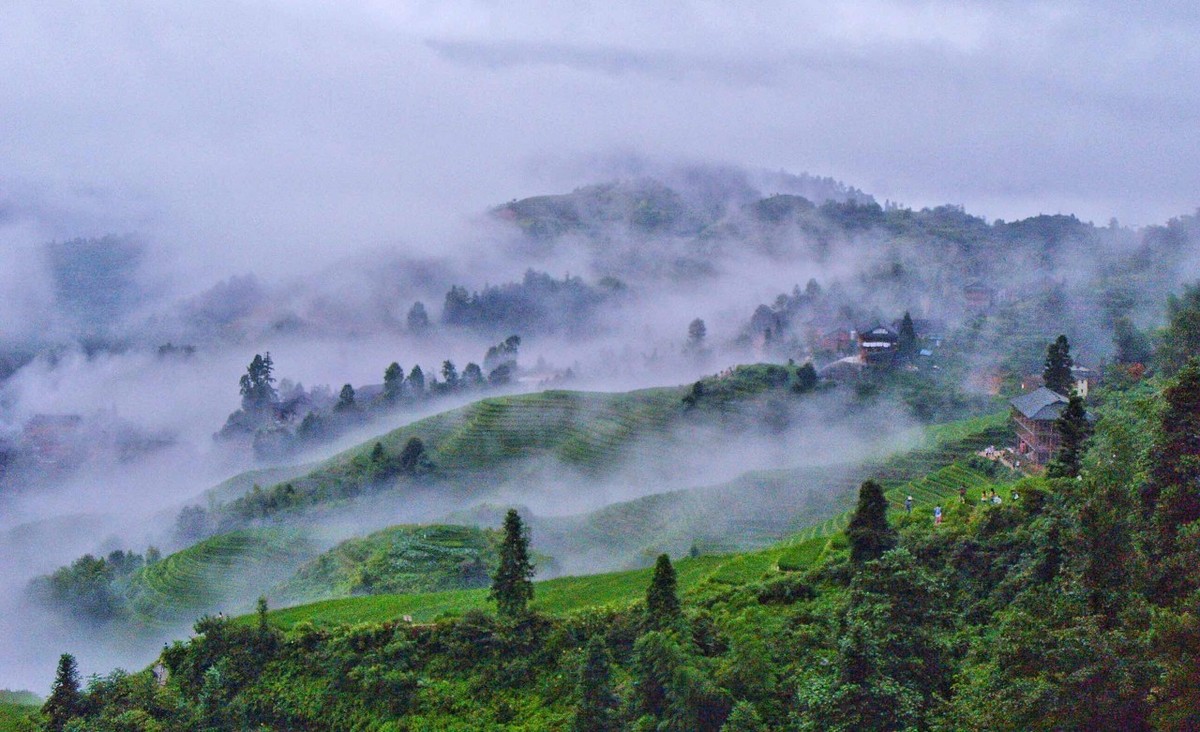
[(223, 573)]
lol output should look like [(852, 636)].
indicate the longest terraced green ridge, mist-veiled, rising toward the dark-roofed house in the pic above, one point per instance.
[(592, 434)]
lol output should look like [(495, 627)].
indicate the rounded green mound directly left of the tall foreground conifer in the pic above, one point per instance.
[(398, 560)]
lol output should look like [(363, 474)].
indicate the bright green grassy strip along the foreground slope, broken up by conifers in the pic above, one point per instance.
[(939, 484)]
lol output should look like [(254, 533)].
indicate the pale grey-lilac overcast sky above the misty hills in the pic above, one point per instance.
[(250, 130)]
